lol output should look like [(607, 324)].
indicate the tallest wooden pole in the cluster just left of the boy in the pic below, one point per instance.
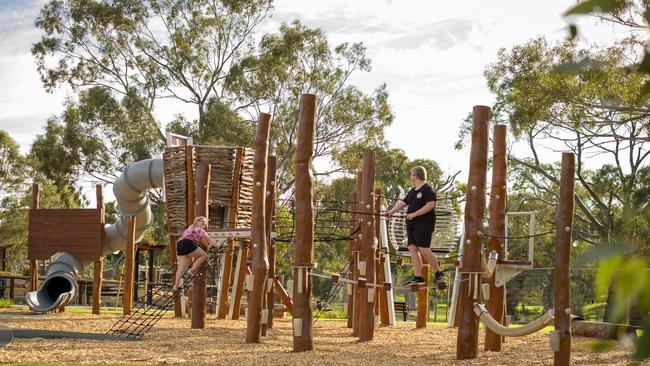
[(367, 315)]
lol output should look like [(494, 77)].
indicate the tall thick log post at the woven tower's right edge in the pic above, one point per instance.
[(259, 240)]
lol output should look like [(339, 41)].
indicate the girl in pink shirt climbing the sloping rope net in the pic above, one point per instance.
[(187, 247)]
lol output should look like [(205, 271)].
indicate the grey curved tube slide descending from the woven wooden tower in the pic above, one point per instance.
[(60, 285)]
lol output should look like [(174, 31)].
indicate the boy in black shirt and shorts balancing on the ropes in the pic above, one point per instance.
[(420, 223)]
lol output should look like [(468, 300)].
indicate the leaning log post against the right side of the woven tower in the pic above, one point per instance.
[(232, 223)]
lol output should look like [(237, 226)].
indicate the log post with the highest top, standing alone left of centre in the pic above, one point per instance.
[(304, 251)]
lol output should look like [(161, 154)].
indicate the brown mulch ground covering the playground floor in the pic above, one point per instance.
[(172, 341)]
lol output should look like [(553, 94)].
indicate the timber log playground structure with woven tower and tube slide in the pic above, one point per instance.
[(234, 189)]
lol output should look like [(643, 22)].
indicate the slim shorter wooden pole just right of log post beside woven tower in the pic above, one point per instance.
[(270, 211)]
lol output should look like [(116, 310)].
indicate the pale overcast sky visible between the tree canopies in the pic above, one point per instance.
[(430, 53)]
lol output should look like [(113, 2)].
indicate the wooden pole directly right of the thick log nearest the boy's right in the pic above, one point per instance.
[(497, 230)]
